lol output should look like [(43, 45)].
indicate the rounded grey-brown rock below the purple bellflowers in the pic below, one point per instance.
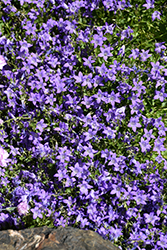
[(61, 238)]
